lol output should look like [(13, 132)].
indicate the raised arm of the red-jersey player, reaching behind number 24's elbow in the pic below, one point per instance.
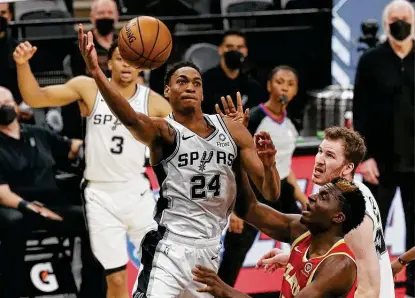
[(277, 225)]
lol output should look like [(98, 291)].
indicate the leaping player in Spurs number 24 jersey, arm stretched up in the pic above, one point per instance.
[(198, 154)]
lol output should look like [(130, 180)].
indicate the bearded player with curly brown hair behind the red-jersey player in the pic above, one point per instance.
[(339, 156)]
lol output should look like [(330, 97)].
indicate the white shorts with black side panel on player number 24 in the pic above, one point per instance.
[(168, 260)]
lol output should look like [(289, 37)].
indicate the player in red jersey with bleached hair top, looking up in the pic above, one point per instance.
[(321, 264)]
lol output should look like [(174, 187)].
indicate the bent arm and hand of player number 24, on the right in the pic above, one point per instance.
[(259, 165)]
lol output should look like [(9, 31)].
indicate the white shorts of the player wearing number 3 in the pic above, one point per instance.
[(113, 210)]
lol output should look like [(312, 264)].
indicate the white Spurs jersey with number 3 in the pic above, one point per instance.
[(112, 153)]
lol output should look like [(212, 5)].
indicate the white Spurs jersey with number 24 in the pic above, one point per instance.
[(198, 189)]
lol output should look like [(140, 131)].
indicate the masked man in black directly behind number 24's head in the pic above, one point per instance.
[(227, 78)]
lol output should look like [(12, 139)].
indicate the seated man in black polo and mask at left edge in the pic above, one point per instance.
[(28, 157)]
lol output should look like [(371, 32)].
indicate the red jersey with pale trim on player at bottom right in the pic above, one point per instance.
[(300, 271)]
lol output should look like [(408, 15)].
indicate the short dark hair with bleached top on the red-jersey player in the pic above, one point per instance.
[(353, 203)]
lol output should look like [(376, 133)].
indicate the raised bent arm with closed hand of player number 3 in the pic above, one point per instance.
[(33, 94)]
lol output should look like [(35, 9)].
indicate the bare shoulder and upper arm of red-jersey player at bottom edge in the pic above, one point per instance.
[(334, 278)]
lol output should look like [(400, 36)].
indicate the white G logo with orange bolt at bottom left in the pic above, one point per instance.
[(43, 278)]
